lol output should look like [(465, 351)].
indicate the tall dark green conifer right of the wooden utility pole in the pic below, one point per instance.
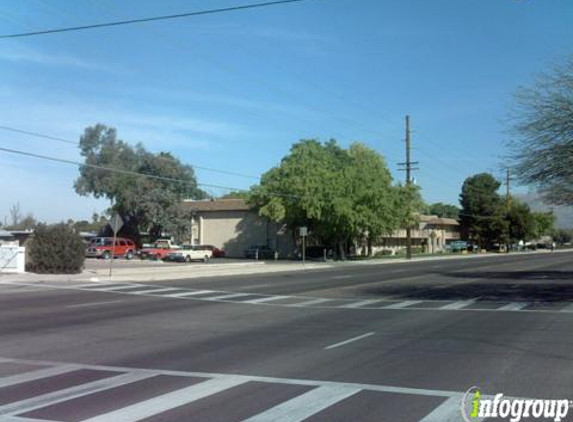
[(482, 214)]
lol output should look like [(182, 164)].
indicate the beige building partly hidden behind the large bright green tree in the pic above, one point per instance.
[(230, 224)]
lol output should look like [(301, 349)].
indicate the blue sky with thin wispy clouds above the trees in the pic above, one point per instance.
[(233, 91)]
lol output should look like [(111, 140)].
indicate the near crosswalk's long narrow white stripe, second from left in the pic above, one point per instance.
[(27, 405)]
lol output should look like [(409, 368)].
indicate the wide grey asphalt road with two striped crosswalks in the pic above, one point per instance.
[(395, 343)]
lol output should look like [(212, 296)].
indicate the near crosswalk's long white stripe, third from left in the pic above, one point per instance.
[(165, 402)]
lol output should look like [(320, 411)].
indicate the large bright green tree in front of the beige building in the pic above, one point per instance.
[(341, 195)]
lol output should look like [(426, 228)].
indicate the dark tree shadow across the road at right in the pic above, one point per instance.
[(513, 286)]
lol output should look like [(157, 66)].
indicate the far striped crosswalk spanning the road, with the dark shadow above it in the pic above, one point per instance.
[(250, 298)]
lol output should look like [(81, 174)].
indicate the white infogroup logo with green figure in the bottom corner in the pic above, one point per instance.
[(475, 406)]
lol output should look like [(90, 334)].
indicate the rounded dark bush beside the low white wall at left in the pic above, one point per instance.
[(56, 250)]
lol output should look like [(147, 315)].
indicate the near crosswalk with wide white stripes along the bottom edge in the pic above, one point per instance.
[(62, 392)]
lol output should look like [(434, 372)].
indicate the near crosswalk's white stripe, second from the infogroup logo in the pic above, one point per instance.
[(306, 405)]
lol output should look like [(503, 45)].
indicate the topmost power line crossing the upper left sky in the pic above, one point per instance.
[(150, 19)]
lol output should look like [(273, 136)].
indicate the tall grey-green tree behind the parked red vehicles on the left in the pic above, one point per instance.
[(145, 204)]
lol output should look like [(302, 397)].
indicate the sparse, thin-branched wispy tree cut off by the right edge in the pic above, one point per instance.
[(542, 150)]
